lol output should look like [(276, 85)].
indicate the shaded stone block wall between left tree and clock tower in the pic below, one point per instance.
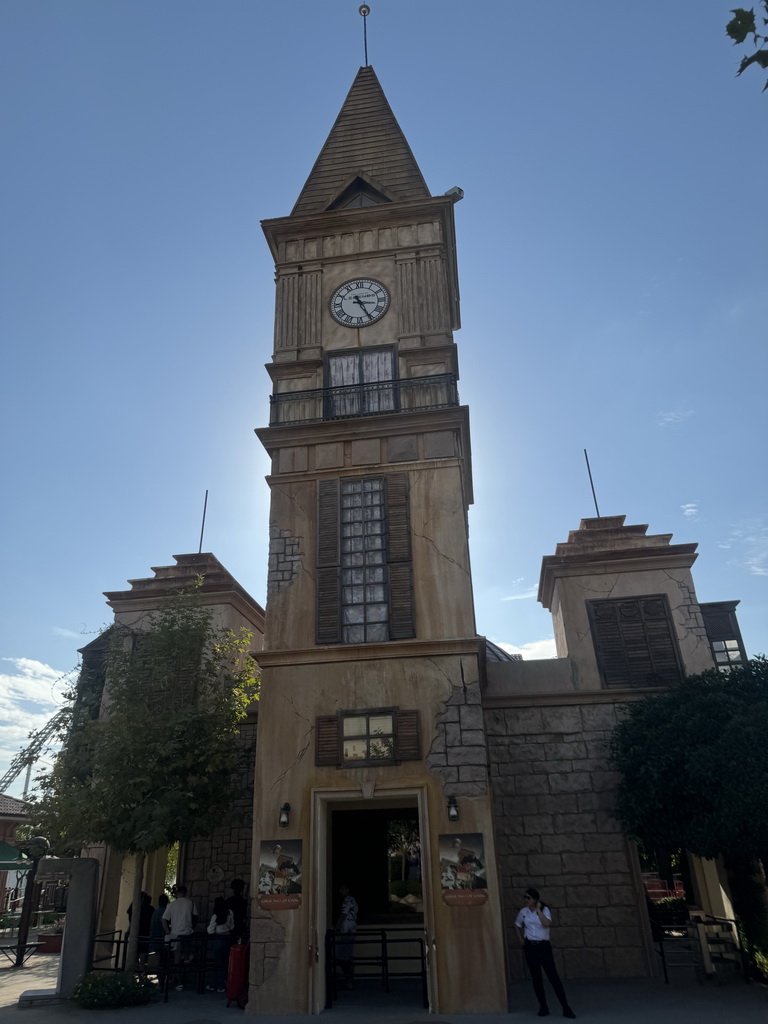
[(229, 847)]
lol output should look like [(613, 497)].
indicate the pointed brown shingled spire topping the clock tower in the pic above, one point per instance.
[(365, 142)]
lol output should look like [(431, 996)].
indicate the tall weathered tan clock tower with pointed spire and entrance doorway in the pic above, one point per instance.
[(372, 760)]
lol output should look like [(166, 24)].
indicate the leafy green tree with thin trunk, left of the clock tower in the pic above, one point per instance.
[(153, 760)]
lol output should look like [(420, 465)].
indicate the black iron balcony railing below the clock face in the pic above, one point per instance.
[(410, 395)]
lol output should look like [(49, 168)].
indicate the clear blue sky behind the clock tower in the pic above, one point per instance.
[(613, 266)]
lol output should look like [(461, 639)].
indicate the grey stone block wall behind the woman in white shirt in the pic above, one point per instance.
[(554, 797)]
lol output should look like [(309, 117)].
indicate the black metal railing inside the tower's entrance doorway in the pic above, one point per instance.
[(376, 954)]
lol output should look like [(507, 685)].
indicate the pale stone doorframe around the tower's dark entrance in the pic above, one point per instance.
[(369, 796)]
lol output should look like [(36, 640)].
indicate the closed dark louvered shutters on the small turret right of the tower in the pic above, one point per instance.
[(634, 642)]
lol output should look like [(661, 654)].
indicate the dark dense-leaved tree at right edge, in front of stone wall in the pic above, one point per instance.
[(695, 776)]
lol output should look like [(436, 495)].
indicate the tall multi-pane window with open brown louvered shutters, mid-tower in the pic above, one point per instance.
[(364, 561)]
